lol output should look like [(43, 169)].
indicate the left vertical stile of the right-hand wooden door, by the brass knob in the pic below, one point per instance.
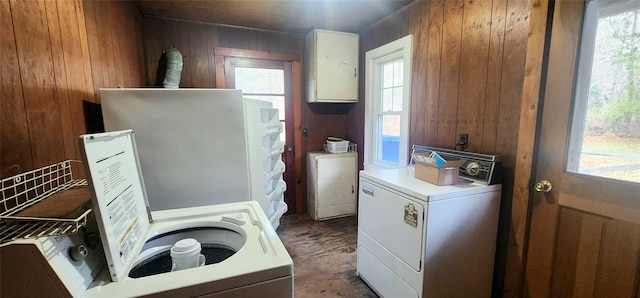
[(556, 91)]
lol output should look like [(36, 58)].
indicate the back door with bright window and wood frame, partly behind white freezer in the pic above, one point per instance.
[(270, 78)]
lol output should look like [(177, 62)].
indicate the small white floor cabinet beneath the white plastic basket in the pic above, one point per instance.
[(331, 187)]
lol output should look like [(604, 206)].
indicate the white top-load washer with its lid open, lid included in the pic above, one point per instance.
[(240, 246)]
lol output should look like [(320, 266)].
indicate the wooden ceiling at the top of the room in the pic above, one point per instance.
[(294, 16)]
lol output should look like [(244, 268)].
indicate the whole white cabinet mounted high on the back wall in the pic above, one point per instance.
[(332, 66)]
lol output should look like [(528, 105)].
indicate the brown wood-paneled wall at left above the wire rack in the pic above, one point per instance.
[(54, 57)]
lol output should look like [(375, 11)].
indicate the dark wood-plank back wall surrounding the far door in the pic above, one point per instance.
[(196, 42)]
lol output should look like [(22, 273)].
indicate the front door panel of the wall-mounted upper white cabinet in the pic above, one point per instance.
[(336, 66)]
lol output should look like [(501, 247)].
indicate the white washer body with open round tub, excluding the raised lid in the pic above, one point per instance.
[(260, 266)]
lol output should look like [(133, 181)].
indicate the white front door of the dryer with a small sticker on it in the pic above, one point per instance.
[(393, 220)]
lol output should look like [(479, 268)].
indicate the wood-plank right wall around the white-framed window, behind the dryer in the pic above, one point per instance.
[(467, 77)]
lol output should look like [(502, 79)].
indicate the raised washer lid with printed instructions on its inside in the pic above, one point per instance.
[(118, 195)]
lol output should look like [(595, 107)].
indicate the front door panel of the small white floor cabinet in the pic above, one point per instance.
[(336, 186)]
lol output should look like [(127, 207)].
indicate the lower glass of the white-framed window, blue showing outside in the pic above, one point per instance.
[(389, 134)]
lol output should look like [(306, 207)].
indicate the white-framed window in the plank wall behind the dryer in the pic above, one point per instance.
[(387, 101)]
